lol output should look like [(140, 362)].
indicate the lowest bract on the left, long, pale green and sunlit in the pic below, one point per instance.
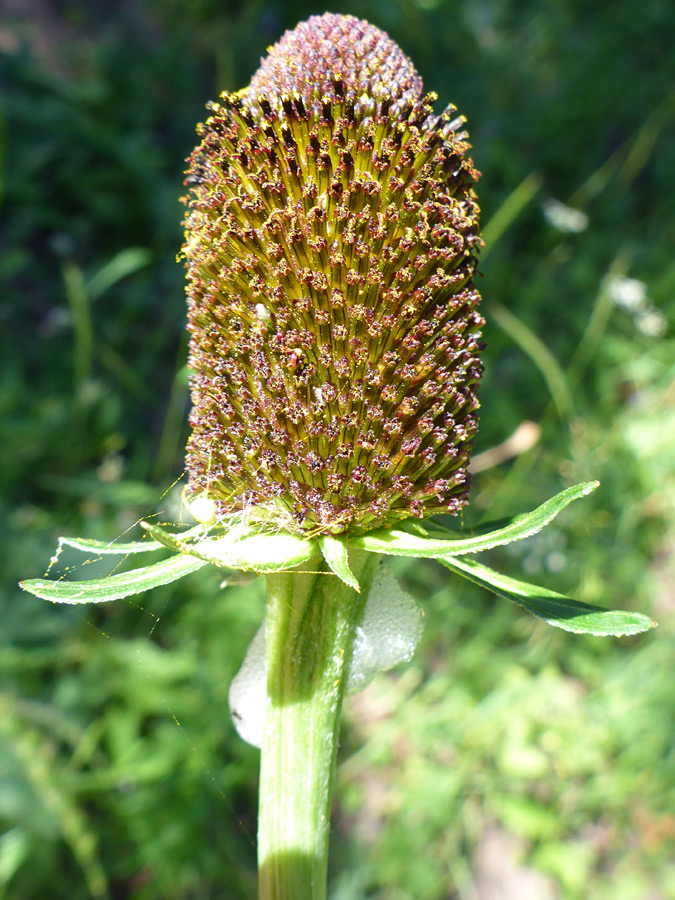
[(114, 586)]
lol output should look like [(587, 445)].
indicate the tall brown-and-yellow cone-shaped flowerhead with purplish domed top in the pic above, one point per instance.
[(331, 241)]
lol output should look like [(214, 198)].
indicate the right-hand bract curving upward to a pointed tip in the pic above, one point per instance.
[(397, 542)]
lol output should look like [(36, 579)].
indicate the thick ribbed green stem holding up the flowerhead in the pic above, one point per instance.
[(311, 622)]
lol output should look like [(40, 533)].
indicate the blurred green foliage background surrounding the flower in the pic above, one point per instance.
[(120, 773)]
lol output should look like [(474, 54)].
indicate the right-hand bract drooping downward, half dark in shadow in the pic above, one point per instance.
[(554, 608)]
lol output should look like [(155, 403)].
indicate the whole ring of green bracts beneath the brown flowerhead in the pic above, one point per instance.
[(257, 551)]
